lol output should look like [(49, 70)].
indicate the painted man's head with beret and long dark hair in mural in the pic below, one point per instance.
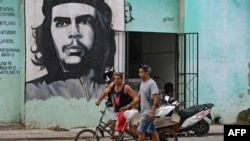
[(75, 36)]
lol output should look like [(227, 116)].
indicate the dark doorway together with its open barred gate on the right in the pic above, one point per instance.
[(173, 58)]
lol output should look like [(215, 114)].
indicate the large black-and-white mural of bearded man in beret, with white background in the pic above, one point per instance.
[(70, 44)]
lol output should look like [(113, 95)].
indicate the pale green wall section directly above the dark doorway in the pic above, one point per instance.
[(153, 16)]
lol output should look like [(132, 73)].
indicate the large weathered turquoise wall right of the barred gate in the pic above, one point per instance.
[(224, 53)]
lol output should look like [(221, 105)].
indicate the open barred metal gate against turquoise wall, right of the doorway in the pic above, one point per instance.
[(187, 62)]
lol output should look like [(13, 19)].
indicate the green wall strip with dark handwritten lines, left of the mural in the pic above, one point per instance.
[(11, 63)]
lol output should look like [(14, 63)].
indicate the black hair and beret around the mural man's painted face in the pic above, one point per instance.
[(102, 53)]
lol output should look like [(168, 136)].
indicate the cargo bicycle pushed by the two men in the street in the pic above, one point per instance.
[(165, 133)]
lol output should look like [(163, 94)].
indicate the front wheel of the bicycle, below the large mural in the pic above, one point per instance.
[(86, 135)]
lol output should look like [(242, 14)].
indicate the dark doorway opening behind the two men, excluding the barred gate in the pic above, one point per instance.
[(155, 49)]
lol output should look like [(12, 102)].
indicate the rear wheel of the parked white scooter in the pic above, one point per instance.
[(201, 128)]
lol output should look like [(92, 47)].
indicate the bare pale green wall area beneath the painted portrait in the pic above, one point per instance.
[(61, 112)]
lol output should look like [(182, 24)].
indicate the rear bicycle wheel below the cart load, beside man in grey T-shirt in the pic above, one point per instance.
[(167, 134)]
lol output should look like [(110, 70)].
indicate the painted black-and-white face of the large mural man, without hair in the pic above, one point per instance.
[(72, 31)]
